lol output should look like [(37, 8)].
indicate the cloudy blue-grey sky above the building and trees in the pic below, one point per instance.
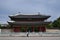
[(46, 7)]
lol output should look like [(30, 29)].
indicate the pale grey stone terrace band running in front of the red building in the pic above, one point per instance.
[(39, 34)]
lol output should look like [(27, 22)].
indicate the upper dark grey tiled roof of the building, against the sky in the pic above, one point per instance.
[(29, 16)]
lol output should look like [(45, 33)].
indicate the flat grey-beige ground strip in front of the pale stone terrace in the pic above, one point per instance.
[(29, 38)]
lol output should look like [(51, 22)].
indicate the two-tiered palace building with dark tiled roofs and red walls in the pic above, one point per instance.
[(28, 23)]
